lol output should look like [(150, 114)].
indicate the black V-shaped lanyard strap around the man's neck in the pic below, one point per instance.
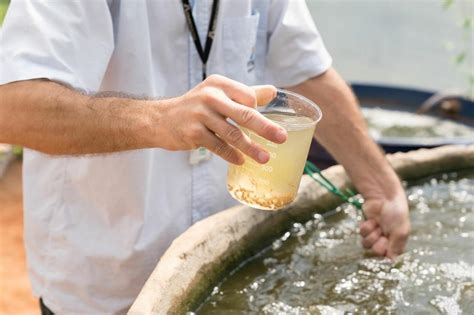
[(203, 54)]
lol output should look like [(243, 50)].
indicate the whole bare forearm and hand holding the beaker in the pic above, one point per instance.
[(54, 119)]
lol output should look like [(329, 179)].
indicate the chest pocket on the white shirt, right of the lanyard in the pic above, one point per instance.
[(239, 41)]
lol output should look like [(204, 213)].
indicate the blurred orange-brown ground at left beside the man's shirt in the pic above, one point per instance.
[(15, 297)]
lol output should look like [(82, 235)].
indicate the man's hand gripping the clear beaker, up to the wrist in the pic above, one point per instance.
[(198, 119)]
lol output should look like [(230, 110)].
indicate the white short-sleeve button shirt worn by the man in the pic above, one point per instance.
[(95, 226)]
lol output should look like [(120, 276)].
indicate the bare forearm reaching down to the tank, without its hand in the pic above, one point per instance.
[(343, 133)]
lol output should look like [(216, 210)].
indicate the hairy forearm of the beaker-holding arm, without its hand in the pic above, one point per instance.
[(53, 119)]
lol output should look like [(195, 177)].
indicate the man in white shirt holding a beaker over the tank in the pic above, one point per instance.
[(96, 225)]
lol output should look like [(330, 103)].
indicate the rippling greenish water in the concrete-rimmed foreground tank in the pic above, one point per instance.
[(319, 266)]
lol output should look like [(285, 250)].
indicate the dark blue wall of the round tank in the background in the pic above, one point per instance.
[(410, 100)]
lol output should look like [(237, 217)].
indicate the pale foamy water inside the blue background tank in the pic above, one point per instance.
[(392, 123)]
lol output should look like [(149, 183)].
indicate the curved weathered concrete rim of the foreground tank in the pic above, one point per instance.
[(196, 259)]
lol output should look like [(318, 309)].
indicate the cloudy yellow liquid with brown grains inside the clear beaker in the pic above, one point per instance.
[(275, 184)]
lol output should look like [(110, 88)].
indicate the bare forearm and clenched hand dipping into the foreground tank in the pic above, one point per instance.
[(344, 133)]
